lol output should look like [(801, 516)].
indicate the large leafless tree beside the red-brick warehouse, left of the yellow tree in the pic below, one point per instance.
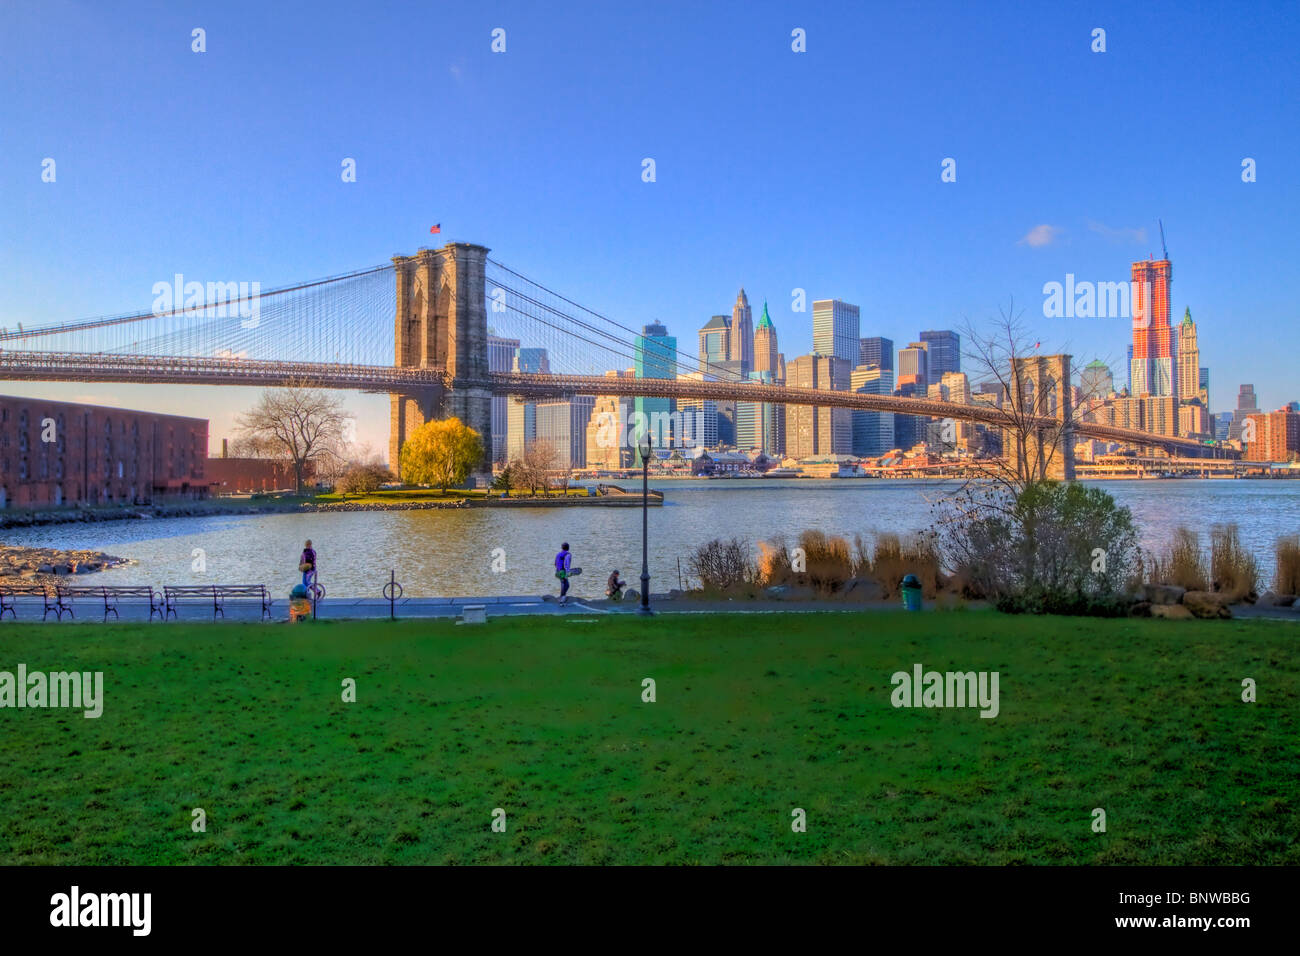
[(304, 425)]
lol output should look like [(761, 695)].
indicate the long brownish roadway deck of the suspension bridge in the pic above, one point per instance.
[(109, 367)]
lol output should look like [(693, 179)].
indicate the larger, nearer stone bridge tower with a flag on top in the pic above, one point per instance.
[(443, 322)]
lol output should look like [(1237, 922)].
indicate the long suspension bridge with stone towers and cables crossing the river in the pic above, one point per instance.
[(419, 330)]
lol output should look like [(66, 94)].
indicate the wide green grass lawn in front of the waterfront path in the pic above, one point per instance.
[(756, 716)]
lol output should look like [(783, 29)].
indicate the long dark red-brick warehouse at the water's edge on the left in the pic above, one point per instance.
[(63, 453)]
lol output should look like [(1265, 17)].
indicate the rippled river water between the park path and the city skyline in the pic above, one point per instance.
[(450, 552)]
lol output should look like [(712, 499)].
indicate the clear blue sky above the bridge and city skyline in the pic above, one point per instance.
[(775, 170)]
